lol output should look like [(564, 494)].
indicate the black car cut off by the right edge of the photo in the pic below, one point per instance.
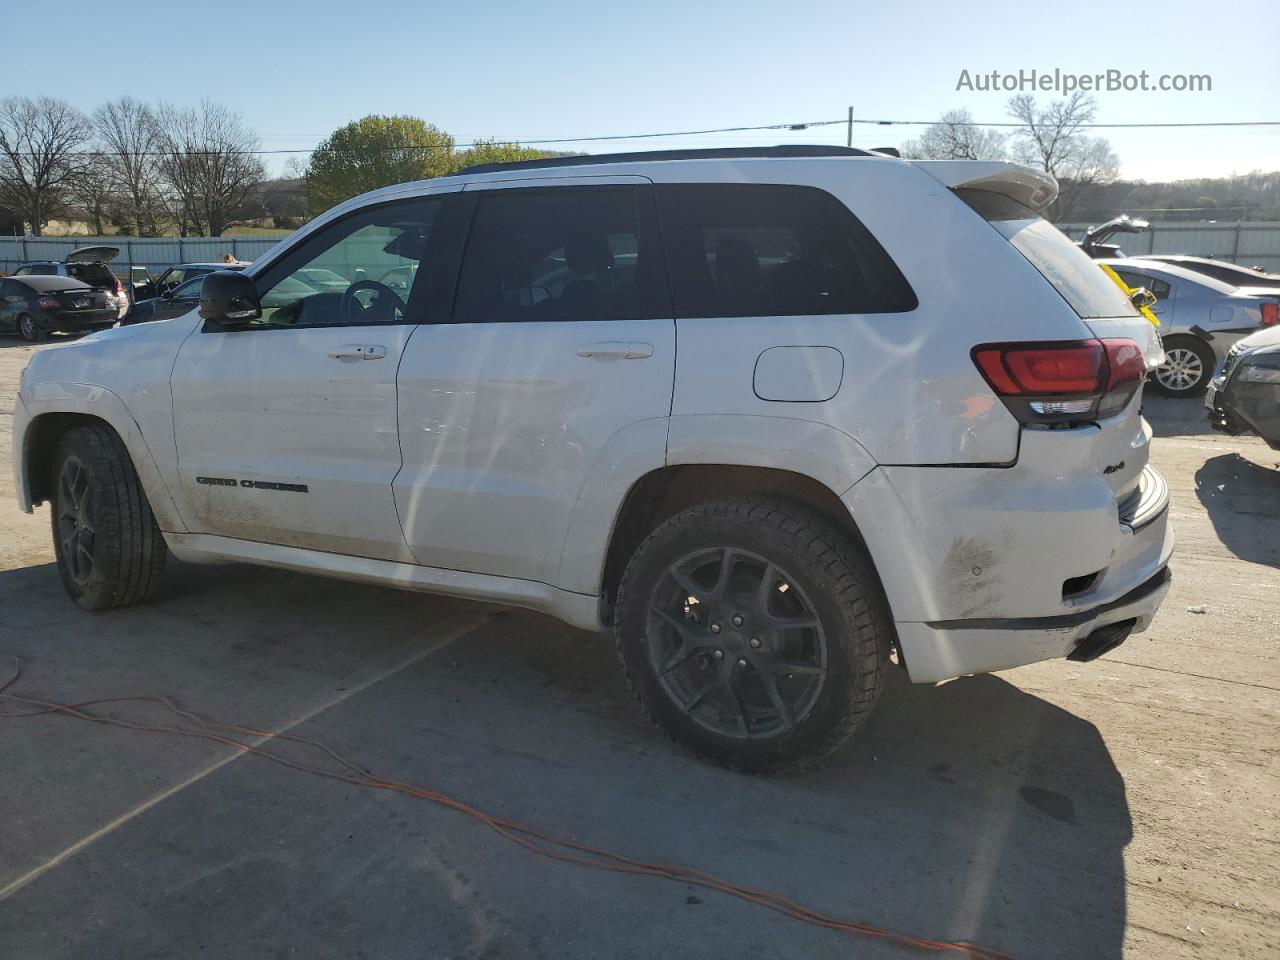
[(1246, 397)]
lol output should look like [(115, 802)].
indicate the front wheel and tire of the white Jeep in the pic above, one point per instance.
[(111, 552)]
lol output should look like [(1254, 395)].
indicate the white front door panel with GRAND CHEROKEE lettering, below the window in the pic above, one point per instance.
[(273, 406)]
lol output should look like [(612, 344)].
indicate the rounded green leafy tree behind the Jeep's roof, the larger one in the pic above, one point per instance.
[(376, 152)]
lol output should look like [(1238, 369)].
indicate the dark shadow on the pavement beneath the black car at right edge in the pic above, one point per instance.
[(1241, 496)]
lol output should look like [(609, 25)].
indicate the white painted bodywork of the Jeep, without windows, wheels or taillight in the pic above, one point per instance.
[(491, 460)]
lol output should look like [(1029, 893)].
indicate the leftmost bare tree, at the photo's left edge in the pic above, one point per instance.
[(39, 144)]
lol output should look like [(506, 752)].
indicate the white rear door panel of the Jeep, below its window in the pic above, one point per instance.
[(502, 426)]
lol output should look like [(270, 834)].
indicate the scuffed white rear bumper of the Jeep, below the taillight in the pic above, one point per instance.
[(994, 569)]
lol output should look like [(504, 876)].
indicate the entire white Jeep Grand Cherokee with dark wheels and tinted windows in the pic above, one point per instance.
[(778, 417)]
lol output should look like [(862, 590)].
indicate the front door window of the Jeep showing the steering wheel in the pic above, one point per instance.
[(359, 271)]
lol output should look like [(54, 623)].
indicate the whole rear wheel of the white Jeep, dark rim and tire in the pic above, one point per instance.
[(755, 632)]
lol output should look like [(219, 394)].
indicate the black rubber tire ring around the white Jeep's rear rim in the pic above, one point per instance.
[(684, 536)]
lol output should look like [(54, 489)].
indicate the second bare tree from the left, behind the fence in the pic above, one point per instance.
[(131, 138)]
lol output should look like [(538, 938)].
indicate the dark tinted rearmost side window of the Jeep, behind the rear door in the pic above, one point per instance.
[(770, 250)]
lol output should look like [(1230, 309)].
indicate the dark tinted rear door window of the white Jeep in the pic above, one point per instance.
[(559, 254)]
